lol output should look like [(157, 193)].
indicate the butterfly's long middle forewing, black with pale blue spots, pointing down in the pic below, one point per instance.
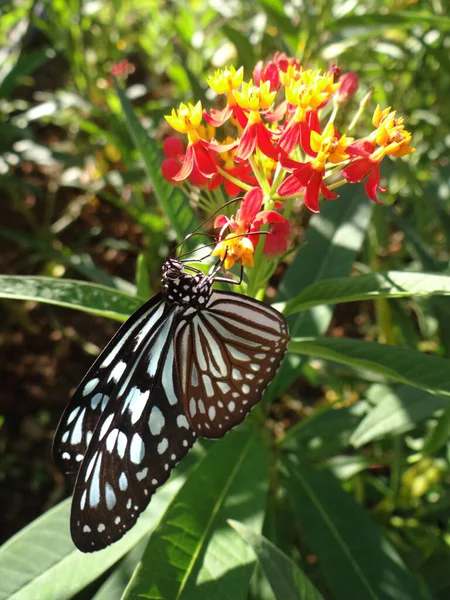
[(141, 435)]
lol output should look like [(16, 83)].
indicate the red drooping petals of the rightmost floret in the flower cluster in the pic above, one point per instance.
[(365, 163)]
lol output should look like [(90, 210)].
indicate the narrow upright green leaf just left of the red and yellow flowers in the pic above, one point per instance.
[(174, 204)]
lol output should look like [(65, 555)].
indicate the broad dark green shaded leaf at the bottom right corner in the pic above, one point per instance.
[(357, 561)]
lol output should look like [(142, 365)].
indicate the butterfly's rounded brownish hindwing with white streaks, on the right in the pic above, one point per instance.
[(226, 355)]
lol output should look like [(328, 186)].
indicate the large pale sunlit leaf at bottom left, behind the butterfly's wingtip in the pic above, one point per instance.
[(42, 562)]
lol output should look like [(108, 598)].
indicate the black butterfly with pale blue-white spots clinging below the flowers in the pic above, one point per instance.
[(192, 361)]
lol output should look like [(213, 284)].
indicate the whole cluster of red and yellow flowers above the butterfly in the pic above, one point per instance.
[(278, 144)]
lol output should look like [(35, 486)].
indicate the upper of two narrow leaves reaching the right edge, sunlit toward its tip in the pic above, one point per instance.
[(393, 284)]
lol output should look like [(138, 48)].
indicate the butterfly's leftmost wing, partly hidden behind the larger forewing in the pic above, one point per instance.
[(83, 412)]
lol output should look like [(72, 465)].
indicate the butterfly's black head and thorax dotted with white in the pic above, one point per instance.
[(182, 288)]
